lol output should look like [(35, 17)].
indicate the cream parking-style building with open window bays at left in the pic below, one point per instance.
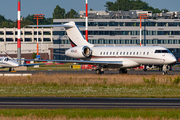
[(8, 42)]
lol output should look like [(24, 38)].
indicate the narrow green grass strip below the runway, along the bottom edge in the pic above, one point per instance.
[(84, 114)]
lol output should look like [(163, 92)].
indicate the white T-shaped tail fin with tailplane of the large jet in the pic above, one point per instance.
[(74, 34)]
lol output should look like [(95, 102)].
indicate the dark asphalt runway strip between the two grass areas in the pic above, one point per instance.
[(95, 103)]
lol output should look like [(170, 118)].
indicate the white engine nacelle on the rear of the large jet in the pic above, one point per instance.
[(79, 52)]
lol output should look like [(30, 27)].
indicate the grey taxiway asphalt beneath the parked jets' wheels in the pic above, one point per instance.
[(175, 70)]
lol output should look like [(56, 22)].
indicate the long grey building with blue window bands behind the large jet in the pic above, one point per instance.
[(122, 28)]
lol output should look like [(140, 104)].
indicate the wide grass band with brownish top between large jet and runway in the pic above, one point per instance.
[(87, 85)]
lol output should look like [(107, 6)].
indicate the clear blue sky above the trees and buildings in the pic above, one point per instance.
[(8, 8)]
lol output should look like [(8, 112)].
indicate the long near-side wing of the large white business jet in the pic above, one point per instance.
[(81, 62)]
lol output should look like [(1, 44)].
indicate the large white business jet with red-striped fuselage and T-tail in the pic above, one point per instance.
[(111, 56)]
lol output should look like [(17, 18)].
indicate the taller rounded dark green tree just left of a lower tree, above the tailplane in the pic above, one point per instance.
[(59, 12)]
